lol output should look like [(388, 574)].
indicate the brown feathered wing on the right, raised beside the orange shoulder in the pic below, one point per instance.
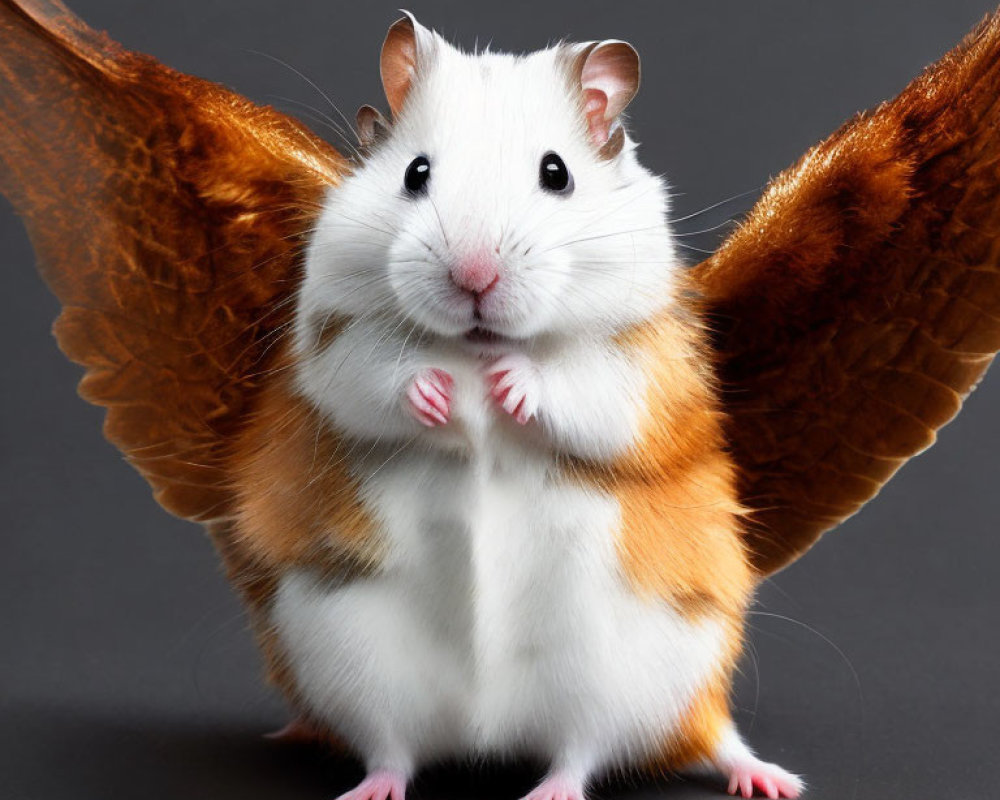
[(859, 303)]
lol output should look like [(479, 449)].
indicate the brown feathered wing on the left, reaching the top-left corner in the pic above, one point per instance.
[(167, 215)]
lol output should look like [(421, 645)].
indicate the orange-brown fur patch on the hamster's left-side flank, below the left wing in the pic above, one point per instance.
[(296, 505)]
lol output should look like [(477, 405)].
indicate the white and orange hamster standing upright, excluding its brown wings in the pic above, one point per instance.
[(493, 324)]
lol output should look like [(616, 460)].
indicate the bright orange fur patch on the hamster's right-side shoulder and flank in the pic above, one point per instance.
[(680, 528)]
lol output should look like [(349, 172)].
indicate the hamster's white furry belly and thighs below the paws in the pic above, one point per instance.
[(498, 622)]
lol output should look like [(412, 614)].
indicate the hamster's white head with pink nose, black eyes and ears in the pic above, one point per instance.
[(503, 202)]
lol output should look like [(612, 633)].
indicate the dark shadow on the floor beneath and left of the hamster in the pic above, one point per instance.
[(49, 752)]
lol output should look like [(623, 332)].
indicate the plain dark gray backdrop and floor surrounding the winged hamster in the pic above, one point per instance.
[(125, 666)]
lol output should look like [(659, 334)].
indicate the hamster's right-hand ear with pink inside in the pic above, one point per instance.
[(609, 77)]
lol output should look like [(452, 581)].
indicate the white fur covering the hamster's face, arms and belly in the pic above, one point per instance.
[(500, 620)]
